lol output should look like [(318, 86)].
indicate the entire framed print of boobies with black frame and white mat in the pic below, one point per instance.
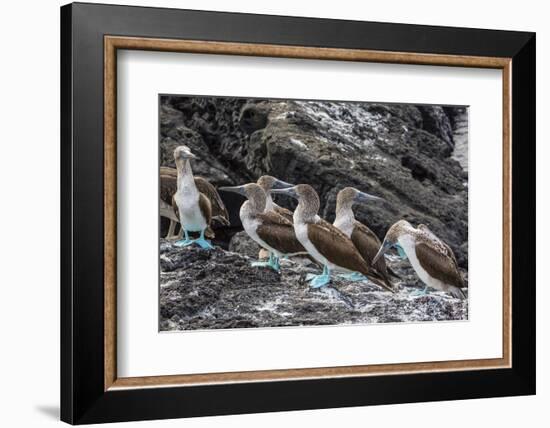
[(265, 213)]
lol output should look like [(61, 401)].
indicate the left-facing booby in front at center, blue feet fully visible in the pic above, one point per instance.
[(323, 241)]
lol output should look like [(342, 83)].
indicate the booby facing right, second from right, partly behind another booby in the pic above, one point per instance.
[(364, 239)]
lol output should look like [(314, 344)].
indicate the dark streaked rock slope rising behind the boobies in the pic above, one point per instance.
[(403, 153)]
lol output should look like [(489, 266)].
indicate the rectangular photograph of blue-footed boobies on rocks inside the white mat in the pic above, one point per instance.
[(288, 212)]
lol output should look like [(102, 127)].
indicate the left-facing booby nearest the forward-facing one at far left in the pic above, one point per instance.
[(269, 229)]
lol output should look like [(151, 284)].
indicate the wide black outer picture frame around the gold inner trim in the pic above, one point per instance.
[(83, 399)]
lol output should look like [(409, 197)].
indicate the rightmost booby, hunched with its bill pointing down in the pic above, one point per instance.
[(433, 260)]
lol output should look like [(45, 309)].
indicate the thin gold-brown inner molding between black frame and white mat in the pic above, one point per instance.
[(113, 43)]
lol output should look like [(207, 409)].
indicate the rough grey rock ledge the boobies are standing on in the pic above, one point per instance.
[(219, 289)]
